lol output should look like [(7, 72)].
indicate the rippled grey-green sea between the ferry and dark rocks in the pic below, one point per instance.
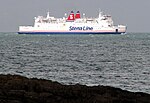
[(121, 61)]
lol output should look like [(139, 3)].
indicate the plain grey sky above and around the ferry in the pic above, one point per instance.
[(133, 13)]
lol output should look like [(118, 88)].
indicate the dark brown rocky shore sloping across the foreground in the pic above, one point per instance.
[(18, 89)]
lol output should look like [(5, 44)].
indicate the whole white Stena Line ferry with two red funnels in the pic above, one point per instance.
[(73, 24)]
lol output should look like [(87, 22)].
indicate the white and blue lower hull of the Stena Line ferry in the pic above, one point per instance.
[(67, 30)]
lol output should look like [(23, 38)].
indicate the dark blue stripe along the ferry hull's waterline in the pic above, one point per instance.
[(46, 33)]
